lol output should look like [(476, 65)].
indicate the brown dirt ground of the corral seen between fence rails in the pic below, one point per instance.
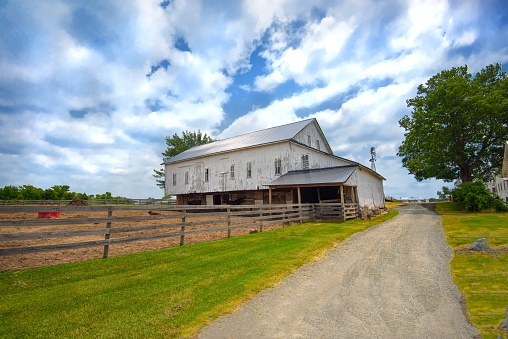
[(23, 261)]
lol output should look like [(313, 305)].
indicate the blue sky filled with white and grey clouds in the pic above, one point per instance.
[(89, 89)]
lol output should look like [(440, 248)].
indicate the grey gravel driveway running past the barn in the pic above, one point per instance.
[(391, 281)]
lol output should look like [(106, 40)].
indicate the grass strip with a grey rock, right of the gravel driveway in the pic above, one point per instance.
[(481, 277)]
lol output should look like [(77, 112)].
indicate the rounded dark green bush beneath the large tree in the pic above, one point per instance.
[(473, 196)]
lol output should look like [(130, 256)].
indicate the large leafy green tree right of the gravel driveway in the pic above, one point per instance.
[(458, 126)]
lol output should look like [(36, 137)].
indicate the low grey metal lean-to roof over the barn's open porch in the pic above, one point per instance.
[(329, 175)]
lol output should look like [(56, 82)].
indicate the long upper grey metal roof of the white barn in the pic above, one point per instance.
[(263, 137)]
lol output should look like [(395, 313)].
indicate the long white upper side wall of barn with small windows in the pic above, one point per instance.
[(262, 161)]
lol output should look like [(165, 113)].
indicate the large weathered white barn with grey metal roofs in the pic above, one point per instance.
[(292, 163)]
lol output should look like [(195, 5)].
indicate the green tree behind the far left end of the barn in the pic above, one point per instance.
[(177, 145)]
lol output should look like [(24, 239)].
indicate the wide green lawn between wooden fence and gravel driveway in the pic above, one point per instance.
[(168, 293)]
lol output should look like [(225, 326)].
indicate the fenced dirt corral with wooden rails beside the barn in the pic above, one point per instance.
[(89, 232)]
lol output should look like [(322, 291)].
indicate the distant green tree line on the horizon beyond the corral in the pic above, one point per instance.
[(56, 192)]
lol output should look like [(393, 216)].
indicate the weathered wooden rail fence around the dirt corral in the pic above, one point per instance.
[(167, 221)]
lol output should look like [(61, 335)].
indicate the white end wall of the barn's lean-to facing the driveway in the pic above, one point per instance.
[(370, 188)]
